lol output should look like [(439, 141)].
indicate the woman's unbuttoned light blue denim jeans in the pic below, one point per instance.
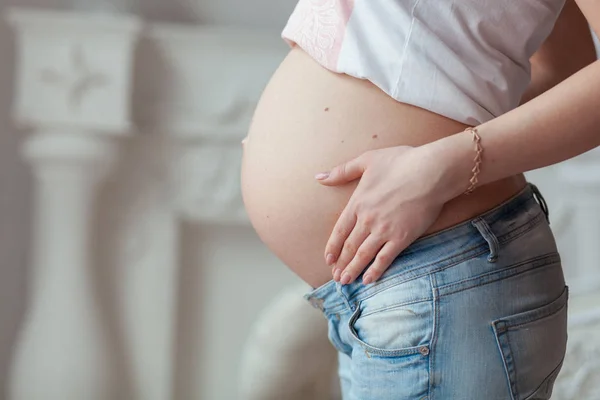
[(477, 311)]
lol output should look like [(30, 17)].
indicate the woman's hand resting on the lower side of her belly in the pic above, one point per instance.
[(400, 195)]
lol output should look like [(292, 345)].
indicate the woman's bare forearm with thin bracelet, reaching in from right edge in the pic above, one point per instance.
[(557, 125)]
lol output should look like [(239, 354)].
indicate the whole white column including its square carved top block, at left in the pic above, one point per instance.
[(73, 89)]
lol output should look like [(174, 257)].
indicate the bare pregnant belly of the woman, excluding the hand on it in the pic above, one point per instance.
[(309, 120)]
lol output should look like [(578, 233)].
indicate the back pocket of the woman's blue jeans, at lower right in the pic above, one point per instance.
[(533, 346)]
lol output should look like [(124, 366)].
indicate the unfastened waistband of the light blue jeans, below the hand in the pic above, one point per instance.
[(485, 232)]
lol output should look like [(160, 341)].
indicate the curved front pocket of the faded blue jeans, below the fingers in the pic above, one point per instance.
[(399, 330)]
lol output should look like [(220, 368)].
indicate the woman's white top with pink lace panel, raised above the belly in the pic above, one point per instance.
[(465, 59)]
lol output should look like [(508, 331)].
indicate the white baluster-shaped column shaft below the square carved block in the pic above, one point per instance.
[(63, 352)]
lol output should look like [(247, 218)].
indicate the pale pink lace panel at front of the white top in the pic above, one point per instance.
[(318, 27)]
